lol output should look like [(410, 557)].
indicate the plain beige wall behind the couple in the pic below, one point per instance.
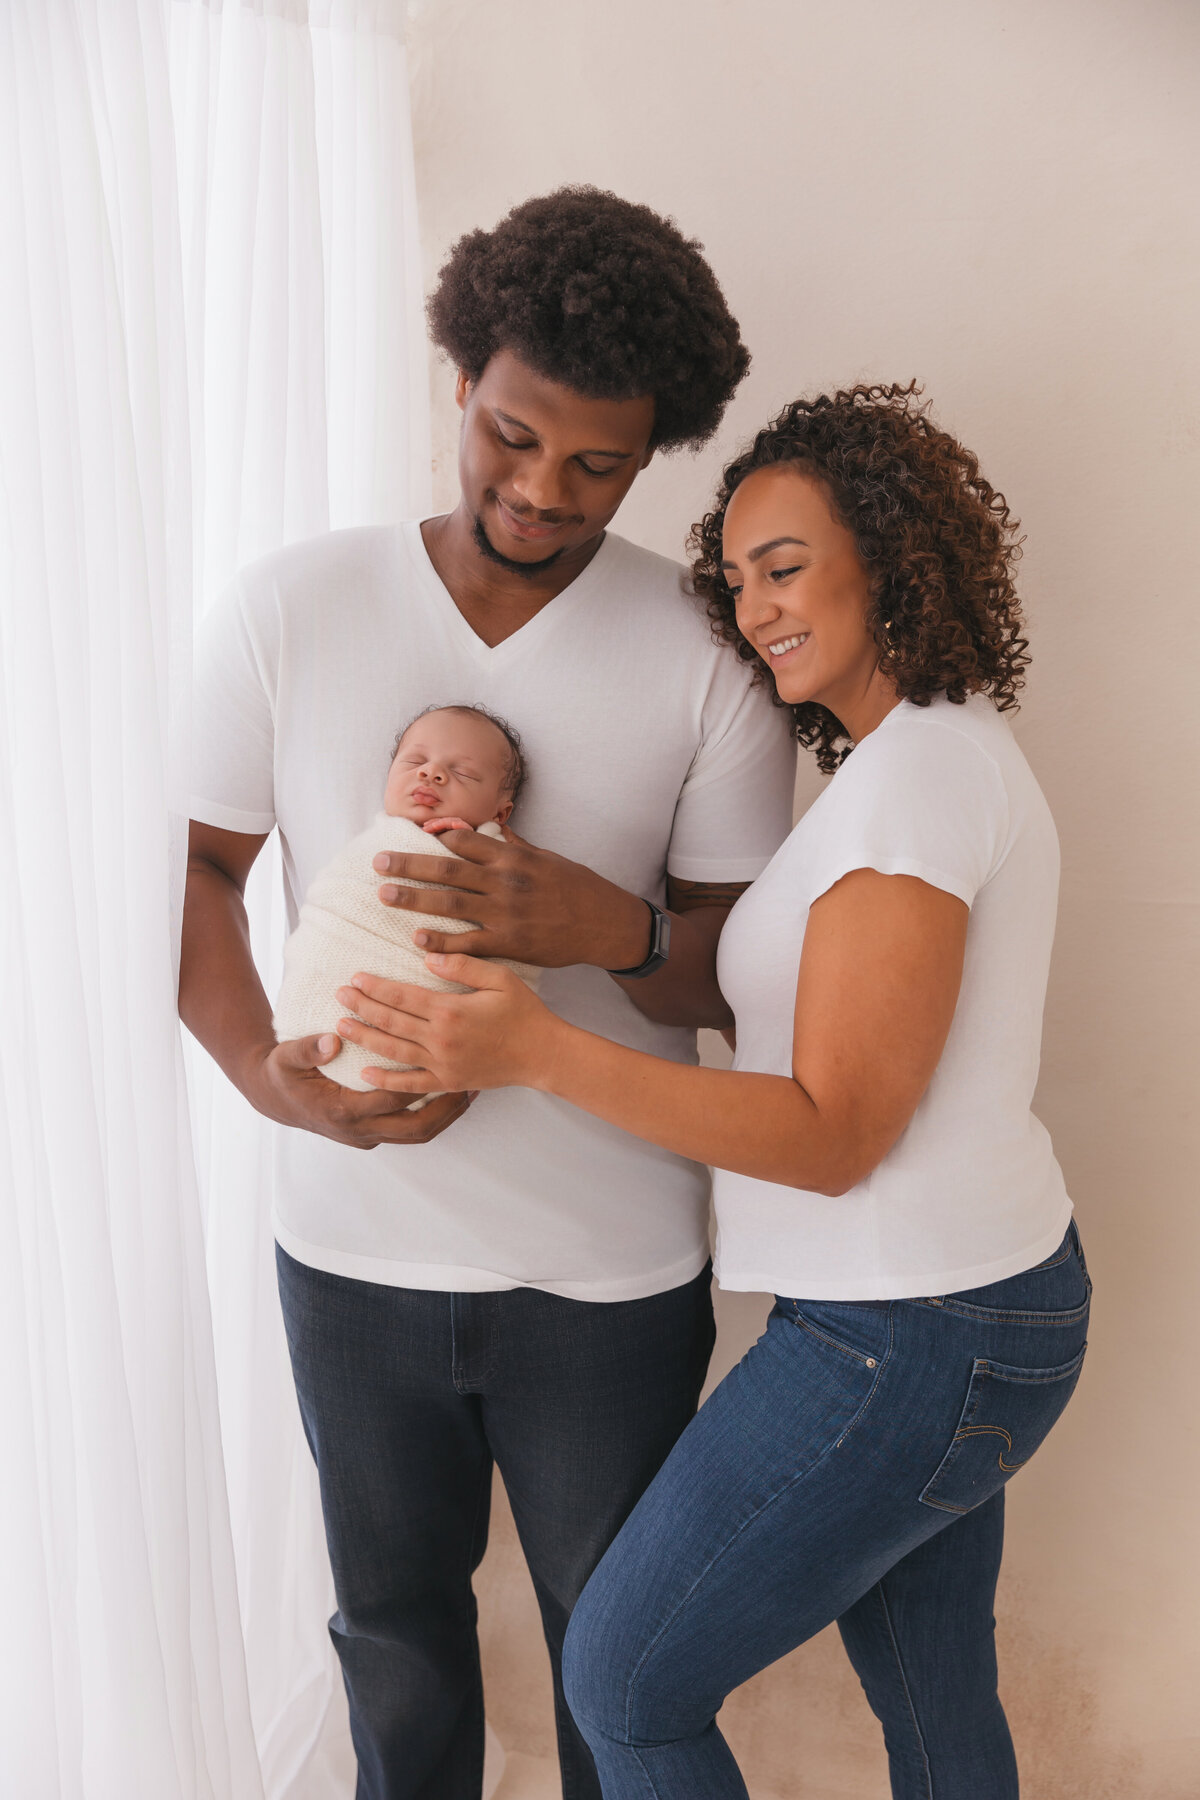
[(996, 199)]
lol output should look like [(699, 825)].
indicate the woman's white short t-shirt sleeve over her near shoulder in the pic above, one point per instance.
[(915, 800)]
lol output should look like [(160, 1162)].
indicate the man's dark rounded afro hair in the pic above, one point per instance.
[(602, 296)]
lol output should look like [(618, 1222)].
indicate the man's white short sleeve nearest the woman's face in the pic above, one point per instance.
[(735, 807)]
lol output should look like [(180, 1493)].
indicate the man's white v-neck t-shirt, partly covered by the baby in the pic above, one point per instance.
[(649, 753)]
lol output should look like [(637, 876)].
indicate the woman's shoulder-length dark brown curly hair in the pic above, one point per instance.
[(935, 537)]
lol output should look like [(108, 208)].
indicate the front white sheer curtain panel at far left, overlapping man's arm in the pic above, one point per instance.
[(121, 1668)]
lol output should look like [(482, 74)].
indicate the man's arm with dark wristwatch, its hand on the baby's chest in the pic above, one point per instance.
[(541, 908)]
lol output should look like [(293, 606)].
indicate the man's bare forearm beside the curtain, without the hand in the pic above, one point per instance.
[(222, 1000)]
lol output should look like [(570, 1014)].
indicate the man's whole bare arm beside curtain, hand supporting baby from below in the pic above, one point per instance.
[(224, 1005)]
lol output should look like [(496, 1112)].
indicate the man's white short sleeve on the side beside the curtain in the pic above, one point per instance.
[(233, 719)]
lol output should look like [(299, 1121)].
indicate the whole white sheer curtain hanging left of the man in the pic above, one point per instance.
[(210, 345)]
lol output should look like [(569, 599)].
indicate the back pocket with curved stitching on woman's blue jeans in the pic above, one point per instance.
[(1007, 1416)]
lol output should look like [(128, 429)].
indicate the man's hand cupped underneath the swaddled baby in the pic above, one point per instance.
[(285, 1083)]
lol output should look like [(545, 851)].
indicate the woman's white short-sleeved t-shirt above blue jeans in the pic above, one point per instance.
[(971, 1192)]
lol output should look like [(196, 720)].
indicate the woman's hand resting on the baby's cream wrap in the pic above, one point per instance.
[(501, 1032)]
